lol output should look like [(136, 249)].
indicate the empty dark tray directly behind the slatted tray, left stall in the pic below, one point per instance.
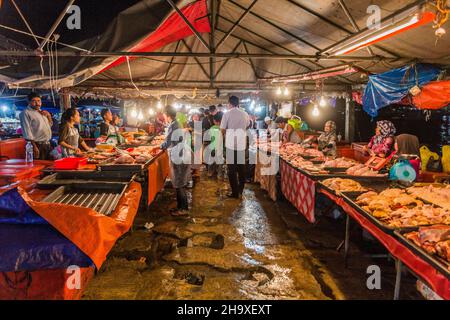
[(66, 178)]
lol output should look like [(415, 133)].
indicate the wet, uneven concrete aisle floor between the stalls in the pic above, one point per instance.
[(238, 249)]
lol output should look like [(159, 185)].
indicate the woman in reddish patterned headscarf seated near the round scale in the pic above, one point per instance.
[(382, 142)]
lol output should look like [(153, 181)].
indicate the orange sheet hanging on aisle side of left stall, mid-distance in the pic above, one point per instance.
[(158, 171)]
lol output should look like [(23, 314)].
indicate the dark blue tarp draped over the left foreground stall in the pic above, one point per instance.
[(28, 242)]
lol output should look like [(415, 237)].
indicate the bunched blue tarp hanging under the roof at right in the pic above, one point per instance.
[(392, 86)]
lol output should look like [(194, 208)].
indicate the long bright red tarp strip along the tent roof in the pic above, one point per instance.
[(172, 29)]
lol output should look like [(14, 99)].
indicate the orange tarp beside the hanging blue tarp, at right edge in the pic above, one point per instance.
[(434, 95)]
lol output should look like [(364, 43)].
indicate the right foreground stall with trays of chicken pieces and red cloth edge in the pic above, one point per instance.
[(411, 240)]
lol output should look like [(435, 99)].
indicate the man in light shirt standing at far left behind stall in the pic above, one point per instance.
[(37, 127)]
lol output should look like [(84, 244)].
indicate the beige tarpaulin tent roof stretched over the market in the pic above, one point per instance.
[(271, 27)]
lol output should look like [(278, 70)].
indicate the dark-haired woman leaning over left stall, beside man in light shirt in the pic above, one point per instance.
[(69, 137)]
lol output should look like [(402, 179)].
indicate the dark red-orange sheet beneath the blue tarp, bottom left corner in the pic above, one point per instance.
[(57, 284)]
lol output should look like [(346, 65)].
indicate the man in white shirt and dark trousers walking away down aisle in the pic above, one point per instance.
[(233, 126)]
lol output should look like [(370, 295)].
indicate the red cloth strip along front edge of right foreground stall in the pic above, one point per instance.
[(437, 281)]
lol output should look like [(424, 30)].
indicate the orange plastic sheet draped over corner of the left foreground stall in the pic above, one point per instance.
[(93, 233)]
